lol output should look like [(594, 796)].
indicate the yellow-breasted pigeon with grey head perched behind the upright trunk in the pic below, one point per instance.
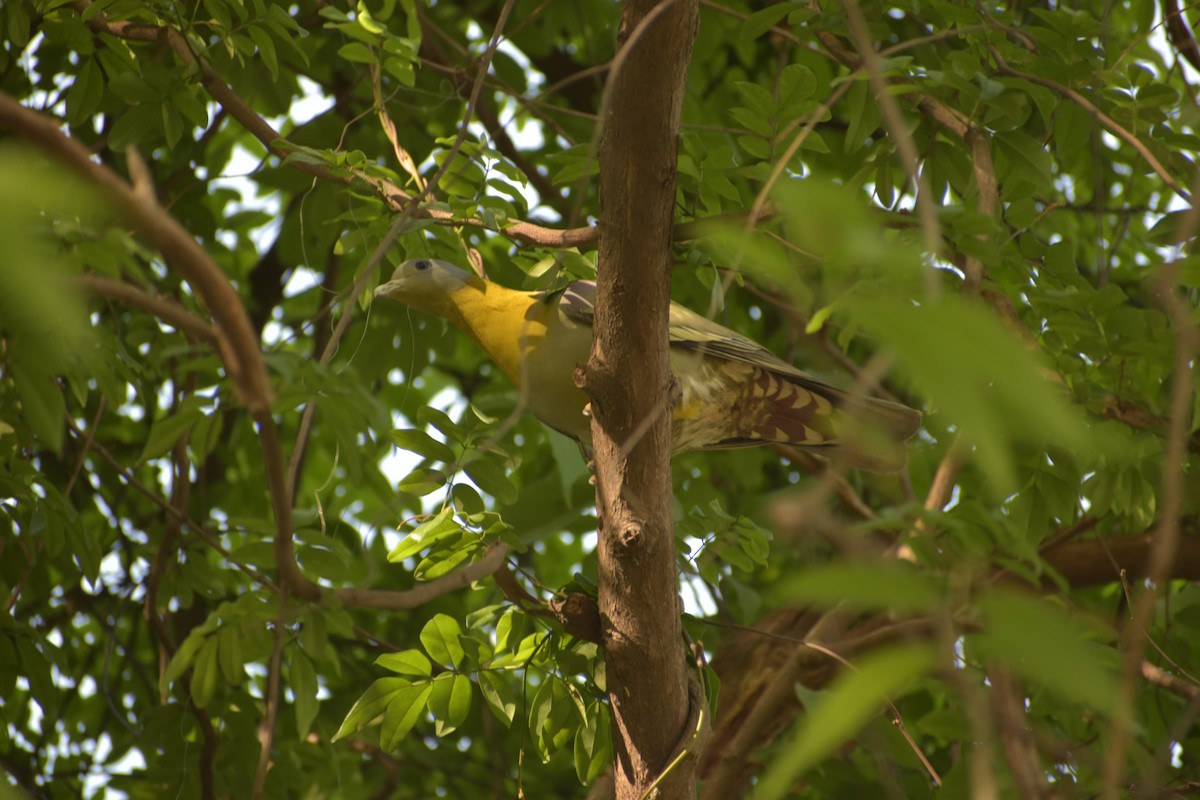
[(731, 392)]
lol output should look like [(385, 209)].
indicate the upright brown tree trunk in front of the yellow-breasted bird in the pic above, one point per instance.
[(628, 380)]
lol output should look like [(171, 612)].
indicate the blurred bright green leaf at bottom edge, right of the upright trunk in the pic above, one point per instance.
[(839, 712)]
